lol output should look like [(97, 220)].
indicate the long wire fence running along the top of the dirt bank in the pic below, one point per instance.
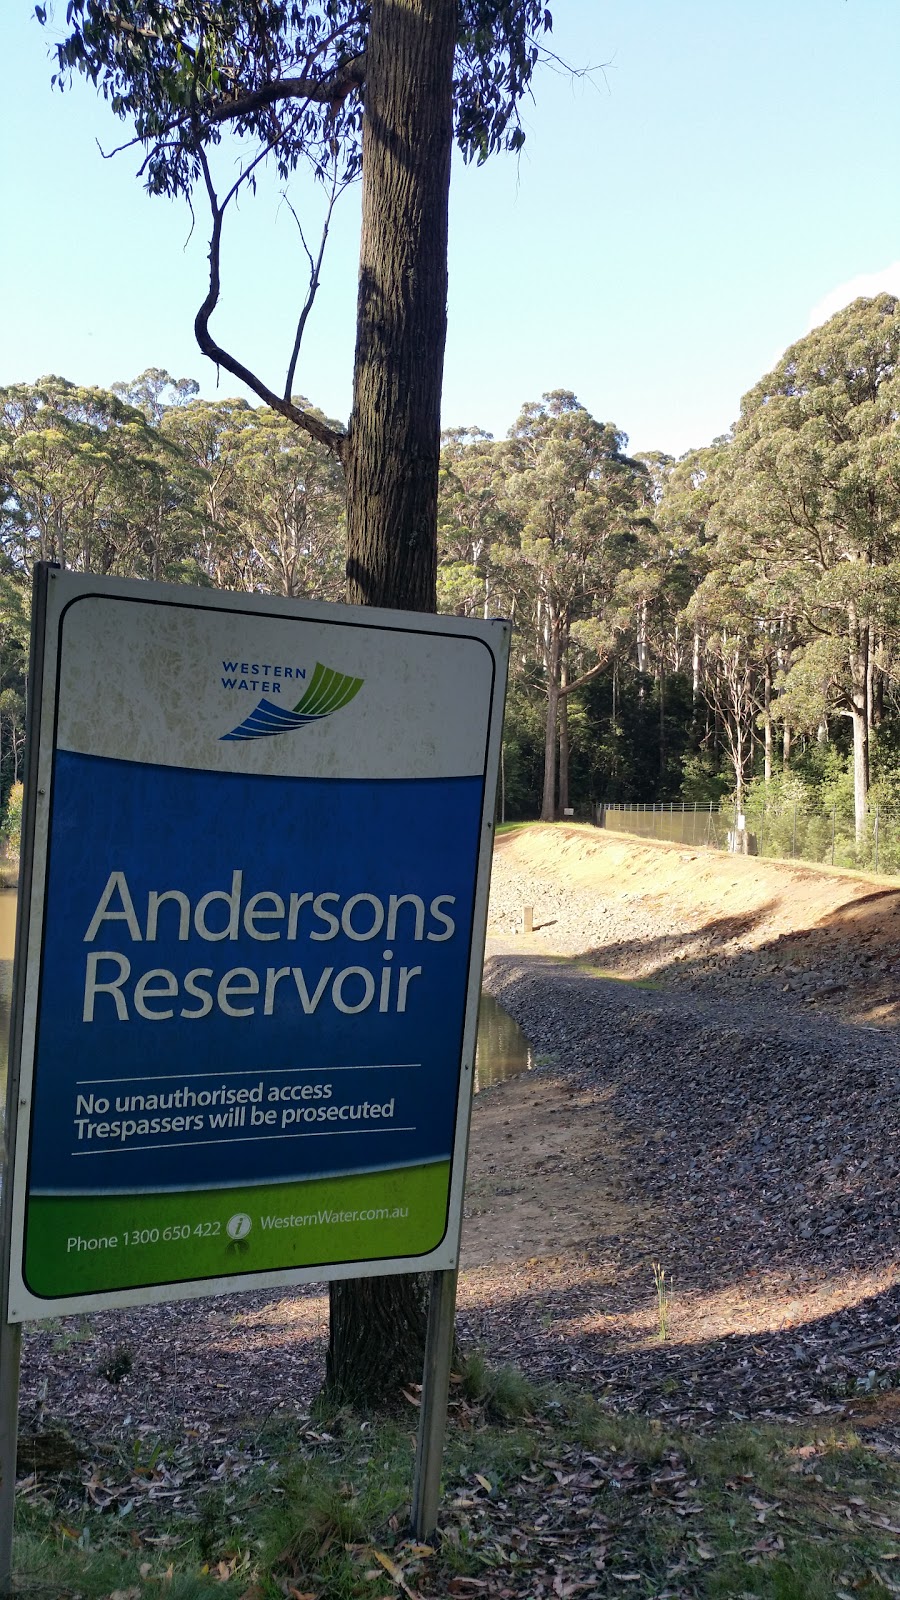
[(784, 831)]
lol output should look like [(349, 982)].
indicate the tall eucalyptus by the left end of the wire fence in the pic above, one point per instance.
[(576, 502)]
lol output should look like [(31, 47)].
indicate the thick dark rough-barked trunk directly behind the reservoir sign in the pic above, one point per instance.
[(377, 1326)]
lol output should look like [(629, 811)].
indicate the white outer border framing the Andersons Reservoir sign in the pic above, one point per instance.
[(54, 594)]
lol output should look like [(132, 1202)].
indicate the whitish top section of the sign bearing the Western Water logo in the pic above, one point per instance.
[(164, 679)]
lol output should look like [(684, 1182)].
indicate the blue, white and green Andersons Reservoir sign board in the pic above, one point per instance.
[(262, 855)]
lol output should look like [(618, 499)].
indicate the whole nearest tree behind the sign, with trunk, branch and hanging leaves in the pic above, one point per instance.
[(371, 87)]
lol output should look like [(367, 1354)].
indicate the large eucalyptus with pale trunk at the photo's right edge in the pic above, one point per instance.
[(813, 502)]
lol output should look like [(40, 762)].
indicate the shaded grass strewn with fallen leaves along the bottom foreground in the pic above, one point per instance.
[(545, 1492)]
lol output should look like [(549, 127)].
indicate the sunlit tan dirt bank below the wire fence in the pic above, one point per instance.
[(673, 914)]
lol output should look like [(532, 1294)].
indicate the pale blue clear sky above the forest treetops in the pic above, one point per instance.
[(726, 178)]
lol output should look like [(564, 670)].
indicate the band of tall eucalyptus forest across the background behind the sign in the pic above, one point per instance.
[(721, 626)]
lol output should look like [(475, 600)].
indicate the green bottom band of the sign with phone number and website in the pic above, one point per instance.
[(89, 1244)]
